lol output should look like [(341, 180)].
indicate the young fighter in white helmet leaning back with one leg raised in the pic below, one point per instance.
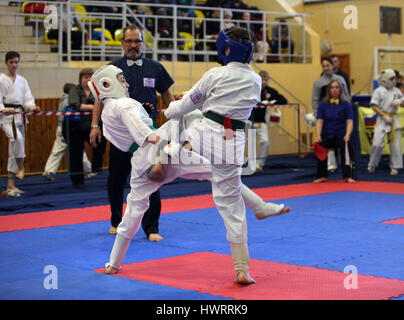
[(128, 126)]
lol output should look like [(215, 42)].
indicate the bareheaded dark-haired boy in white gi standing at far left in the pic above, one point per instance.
[(15, 97)]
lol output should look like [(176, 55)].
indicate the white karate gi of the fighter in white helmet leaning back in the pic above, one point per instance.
[(125, 121)]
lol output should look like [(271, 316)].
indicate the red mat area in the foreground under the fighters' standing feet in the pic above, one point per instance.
[(212, 273)]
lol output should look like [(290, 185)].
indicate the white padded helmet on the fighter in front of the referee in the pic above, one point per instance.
[(104, 84)]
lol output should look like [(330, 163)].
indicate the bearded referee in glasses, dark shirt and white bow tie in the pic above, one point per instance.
[(146, 77)]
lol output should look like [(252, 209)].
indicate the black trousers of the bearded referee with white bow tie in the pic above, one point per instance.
[(119, 170)]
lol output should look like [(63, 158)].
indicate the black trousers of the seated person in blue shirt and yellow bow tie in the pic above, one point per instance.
[(338, 144)]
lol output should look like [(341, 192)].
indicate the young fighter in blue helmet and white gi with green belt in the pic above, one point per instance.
[(226, 96)]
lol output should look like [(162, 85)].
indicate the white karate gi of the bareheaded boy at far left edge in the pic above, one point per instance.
[(18, 93)]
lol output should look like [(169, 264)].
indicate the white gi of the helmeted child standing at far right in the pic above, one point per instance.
[(383, 98)]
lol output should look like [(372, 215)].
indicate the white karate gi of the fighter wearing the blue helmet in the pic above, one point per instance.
[(230, 91)]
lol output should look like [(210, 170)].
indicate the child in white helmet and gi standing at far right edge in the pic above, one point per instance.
[(385, 102)]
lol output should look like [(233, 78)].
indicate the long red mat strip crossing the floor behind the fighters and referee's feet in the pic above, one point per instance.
[(101, 213)]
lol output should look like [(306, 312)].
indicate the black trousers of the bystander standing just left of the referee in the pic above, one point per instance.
[(76, 134)]
